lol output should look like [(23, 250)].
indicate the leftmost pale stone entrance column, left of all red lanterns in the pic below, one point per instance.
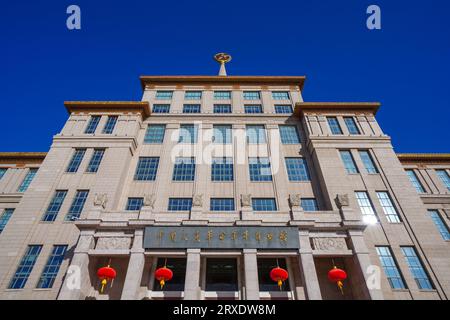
[(77, 281)]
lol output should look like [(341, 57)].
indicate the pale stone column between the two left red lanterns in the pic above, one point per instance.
[(135, 268)]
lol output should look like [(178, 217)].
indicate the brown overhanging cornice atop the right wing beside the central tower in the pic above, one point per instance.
[(339, 107)]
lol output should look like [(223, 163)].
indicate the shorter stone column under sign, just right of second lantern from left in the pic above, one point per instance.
[(191, 284)]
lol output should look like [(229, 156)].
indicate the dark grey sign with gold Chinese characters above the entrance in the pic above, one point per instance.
[(181, 237)]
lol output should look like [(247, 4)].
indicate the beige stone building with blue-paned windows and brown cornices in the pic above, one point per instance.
[(222, 178)]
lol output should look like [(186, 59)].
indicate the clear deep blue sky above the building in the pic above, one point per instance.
[(405, 65)]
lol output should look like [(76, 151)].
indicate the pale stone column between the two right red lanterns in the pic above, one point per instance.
[(308, 268)]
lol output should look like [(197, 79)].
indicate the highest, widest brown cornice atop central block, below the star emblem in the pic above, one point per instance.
[(221, 80)]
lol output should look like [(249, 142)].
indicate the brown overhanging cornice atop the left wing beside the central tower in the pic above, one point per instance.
[(141, 107)]
